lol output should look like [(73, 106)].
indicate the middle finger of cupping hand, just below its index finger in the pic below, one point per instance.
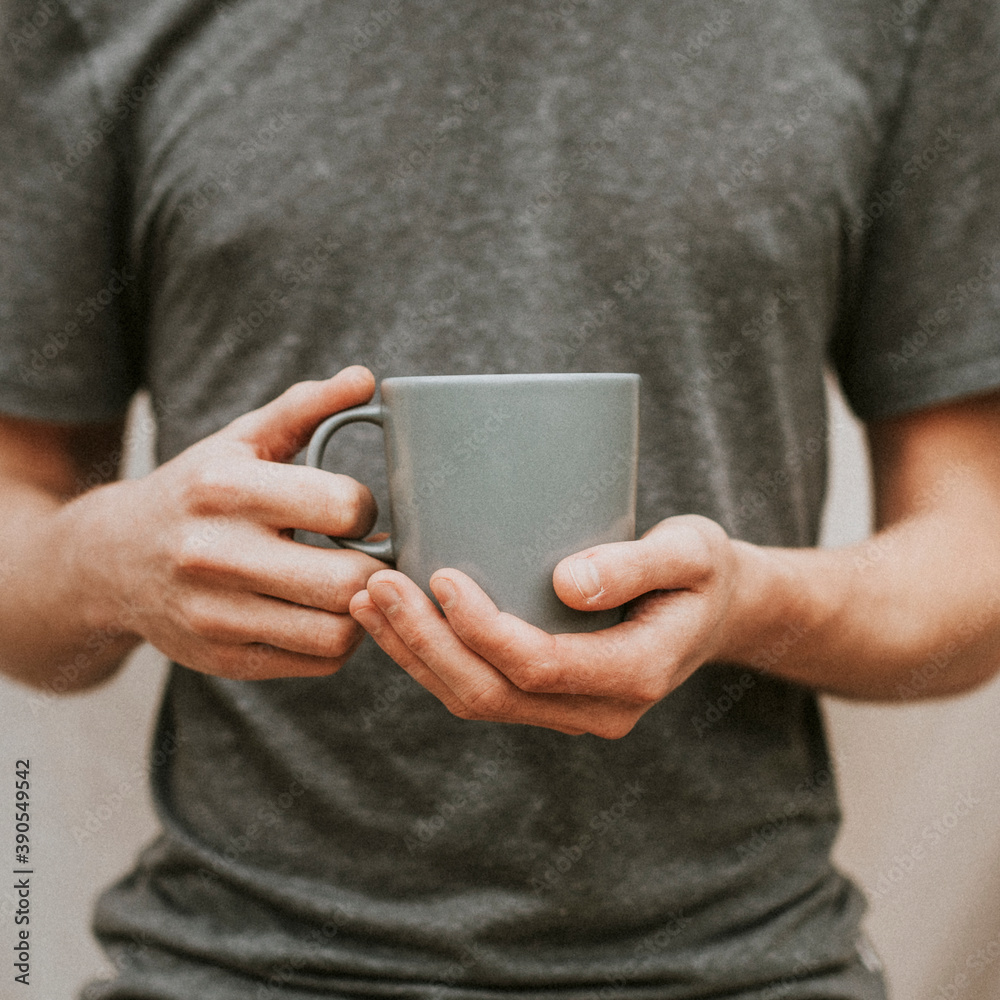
[(482, 691)]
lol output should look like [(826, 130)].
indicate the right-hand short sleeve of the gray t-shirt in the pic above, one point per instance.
[(926, 321)]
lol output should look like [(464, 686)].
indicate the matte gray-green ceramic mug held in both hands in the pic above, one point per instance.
[(501, 476)]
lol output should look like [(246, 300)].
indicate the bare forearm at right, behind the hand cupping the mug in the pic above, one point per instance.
[(914, 611)]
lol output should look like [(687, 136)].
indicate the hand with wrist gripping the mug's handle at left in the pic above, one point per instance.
[(197, 557)]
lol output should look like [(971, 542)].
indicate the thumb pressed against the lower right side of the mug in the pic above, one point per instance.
[(679, 553)]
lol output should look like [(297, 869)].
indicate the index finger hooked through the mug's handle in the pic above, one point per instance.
[(284, 496)]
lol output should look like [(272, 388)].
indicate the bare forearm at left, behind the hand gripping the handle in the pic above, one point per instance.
[(57, 632)]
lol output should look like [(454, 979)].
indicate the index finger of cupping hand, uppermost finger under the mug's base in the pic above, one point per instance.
[(627, 662)]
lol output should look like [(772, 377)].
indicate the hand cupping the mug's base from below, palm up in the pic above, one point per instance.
[(680, 578)]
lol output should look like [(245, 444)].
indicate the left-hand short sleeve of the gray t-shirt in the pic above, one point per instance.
[(66, 352)]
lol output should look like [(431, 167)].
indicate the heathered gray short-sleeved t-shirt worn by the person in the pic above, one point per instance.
[(213, 200)]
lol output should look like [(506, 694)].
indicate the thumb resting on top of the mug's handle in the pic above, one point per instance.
[(281, 428)]
